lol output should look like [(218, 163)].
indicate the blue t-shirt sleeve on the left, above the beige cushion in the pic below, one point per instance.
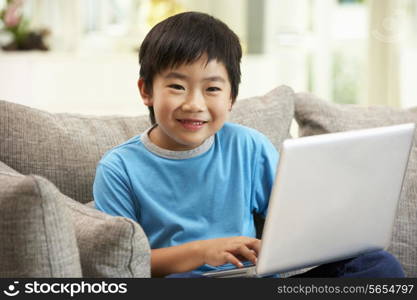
[(112, 193)]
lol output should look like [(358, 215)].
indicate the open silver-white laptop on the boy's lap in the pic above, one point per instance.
[(335, 196)]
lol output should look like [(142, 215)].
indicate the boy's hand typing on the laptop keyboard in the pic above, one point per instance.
[(230, 250)]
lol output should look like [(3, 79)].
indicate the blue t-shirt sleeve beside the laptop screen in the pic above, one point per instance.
[(264, 175)]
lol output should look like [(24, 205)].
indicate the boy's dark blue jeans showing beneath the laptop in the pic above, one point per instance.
[(377, 264)]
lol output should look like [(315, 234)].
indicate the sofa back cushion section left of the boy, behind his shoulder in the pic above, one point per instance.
[(65, 148)]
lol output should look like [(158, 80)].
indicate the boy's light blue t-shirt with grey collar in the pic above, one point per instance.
[(181, 196)]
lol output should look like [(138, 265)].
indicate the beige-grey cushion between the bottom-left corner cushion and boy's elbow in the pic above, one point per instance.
[(109, 246)]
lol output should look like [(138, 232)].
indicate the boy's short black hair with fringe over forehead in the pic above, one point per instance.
[(184, 38)]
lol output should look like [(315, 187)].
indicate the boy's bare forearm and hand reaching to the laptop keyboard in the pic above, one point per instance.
[(189, 256)]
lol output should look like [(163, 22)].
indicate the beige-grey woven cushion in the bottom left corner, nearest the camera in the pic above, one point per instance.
[(37, 238)]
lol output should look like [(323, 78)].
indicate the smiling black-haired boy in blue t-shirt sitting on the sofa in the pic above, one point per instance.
[(192, 180)]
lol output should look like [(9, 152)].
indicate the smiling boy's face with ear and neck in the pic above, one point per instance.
[(191, 103)]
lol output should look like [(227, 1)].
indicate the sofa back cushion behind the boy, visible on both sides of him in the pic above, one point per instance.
[(65, 148)]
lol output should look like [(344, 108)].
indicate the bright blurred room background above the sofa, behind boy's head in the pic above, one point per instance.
[(80, 56)]
